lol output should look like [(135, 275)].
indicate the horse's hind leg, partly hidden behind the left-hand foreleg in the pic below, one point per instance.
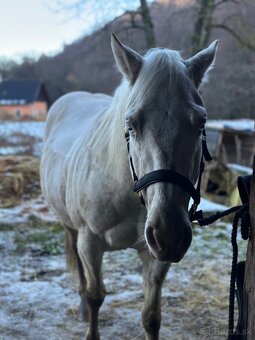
[(75, 266)]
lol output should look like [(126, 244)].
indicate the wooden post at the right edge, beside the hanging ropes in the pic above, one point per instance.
[(249, 279)]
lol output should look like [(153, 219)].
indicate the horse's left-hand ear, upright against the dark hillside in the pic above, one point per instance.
[(128, 60)]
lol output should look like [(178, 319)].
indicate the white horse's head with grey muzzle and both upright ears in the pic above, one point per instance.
[(165, 117)]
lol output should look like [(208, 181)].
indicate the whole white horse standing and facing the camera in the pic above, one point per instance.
[(87, 172)]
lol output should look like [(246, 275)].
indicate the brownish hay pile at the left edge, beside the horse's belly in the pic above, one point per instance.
[(19, 179)]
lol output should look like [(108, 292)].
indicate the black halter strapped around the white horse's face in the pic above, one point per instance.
[(173, 177)]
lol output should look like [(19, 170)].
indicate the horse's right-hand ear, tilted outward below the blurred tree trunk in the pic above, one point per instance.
[(199, 65)]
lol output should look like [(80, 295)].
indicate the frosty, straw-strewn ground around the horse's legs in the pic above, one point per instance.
[(39, 299)]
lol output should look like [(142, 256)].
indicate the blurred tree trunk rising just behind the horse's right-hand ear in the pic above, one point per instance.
[(202, 28)]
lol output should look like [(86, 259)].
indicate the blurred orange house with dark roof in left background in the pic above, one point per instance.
[(23, 100)]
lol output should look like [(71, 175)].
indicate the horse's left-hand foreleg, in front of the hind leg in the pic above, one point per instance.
[(90, 250)]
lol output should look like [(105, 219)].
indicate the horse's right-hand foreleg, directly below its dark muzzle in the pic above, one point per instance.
[(154, 273)]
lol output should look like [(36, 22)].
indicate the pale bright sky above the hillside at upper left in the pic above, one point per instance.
[(29, 27)]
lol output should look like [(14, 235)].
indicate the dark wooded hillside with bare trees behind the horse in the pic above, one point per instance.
[(185, 25)]
